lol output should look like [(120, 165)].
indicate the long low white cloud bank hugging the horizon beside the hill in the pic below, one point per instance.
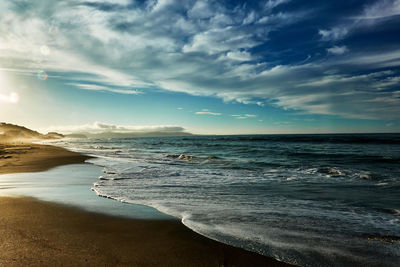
[(99, 127)]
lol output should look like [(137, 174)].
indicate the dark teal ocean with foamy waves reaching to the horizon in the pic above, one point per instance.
[(311, 200)]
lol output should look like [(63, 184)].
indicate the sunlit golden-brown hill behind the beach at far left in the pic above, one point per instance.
[(14, 133)]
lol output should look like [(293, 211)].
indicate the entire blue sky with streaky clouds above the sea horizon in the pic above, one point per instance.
[(206, 67)]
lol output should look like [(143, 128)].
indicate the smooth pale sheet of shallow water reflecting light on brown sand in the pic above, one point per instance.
[(71, 185)]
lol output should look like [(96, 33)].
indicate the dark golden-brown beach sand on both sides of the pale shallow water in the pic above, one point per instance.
[(38, 233)]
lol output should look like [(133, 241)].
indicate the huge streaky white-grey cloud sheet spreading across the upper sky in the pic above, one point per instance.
[(204, 48)]
